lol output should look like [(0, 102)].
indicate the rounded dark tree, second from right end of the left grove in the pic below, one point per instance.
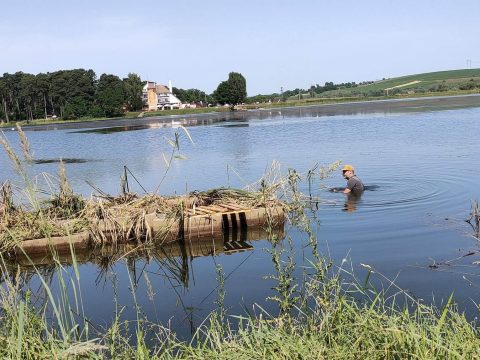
[(109, 96)]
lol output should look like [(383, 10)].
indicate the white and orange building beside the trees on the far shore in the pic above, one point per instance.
[(156, 96)]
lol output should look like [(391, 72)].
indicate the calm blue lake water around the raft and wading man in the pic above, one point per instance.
[(422, 167)]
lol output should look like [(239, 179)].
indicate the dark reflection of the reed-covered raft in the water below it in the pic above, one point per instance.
[(173, 258)]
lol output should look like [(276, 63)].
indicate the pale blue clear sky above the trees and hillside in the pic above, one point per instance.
[(274, 44)]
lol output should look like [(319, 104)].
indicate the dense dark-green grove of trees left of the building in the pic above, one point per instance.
[(68, 94)]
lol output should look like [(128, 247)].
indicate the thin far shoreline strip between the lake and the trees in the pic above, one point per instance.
[(433, 103)]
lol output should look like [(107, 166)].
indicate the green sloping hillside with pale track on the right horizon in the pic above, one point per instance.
[(434, 81)]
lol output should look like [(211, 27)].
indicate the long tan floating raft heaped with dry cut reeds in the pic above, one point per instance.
[(67, 221)]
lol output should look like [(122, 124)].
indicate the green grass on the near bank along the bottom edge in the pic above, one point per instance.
[(333, 326)]
